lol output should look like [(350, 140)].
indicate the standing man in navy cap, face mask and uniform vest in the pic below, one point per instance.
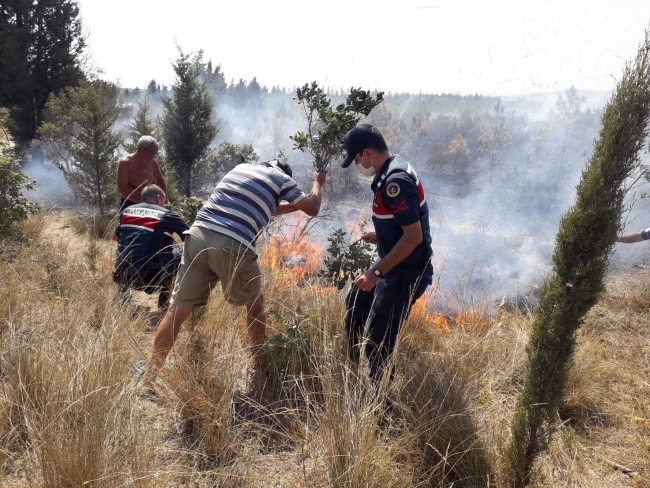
[(382, 296)]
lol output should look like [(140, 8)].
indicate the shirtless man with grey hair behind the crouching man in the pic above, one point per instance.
[(137, 170)]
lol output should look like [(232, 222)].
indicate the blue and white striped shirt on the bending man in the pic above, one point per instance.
[(242, 203)]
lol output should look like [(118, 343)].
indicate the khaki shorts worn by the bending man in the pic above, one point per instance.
[(210, 257)]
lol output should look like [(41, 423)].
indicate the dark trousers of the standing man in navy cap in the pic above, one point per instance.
[(373, 319)]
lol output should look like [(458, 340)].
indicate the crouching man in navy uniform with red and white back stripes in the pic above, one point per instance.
[(146, 260)]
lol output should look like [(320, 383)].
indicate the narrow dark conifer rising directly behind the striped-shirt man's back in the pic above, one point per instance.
[(188, 129)]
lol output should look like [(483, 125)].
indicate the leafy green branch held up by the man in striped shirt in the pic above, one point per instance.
[(326, 125)]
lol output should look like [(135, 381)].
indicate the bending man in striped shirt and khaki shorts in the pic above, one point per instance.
[(220, 247)]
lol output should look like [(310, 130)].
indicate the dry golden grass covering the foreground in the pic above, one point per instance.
[(69, 415)]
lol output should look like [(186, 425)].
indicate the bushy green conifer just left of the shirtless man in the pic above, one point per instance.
[(80, 140)]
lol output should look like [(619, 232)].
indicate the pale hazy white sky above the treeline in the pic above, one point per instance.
[(494, 47)]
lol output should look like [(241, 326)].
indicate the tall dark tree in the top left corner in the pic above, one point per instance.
[(41, 44)]
